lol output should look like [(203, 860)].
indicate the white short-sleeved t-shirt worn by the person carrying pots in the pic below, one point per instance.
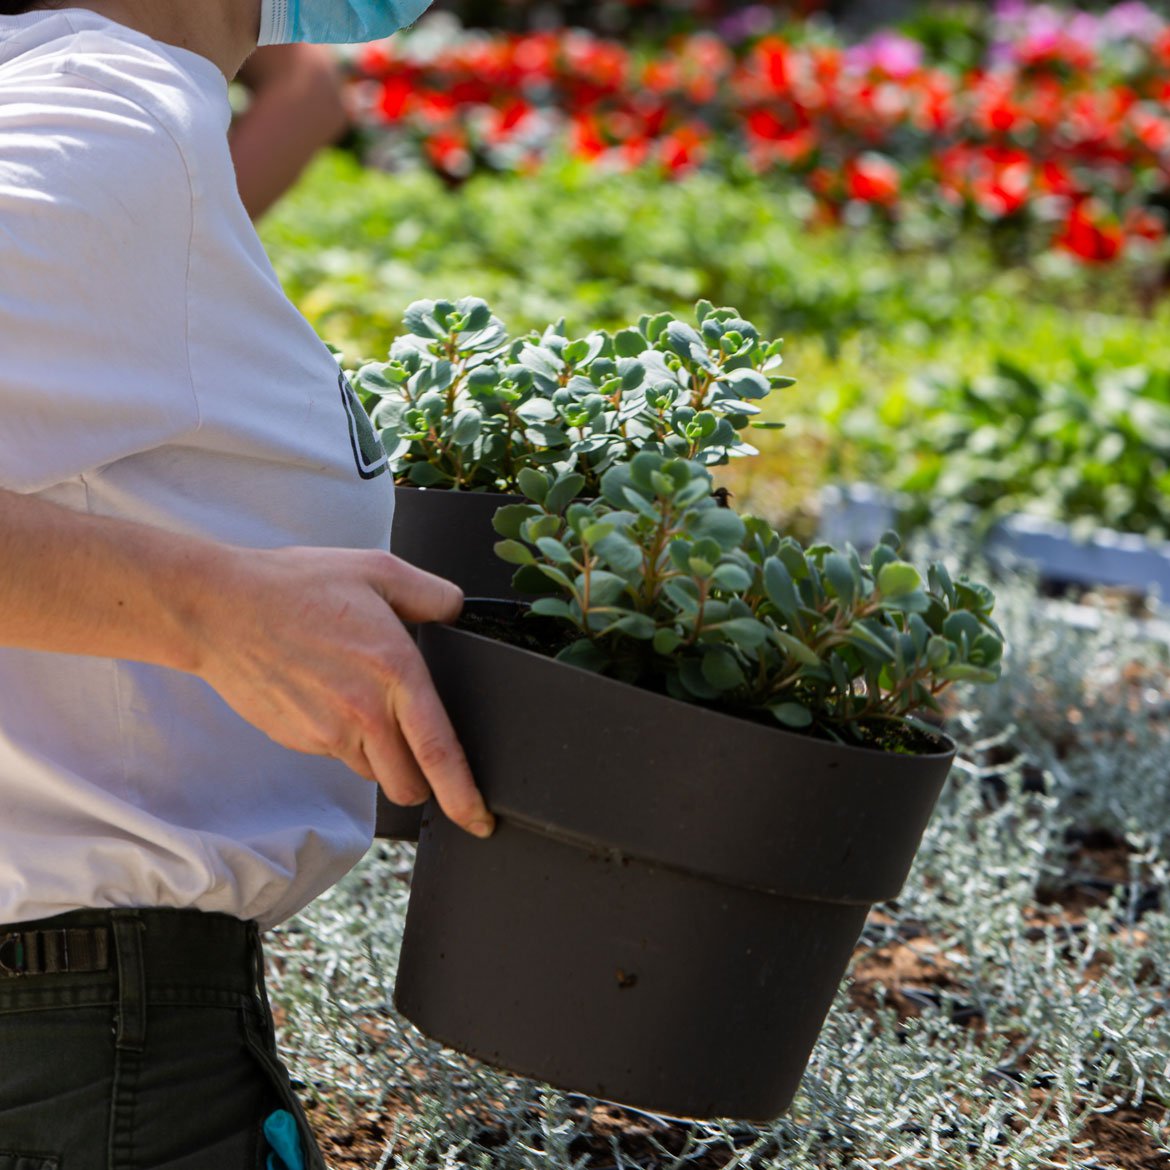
[(153, 369)]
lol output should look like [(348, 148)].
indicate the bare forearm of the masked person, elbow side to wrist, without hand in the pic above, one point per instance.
[(82, 584)]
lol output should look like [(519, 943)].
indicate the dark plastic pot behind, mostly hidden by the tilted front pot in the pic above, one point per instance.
[(449, 534)]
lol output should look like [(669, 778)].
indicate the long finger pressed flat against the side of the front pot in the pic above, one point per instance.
[(437, 752)]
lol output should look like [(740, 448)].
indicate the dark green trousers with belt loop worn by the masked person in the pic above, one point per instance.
[(163, 1061)]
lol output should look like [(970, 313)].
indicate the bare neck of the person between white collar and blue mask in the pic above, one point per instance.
[(223, 31)]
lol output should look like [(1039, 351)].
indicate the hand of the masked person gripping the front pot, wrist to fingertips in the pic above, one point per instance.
[(308, 645)]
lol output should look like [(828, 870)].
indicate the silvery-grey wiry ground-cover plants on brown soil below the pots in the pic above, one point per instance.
[(1009, 1010)]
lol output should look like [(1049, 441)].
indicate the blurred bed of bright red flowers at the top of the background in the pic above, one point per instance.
[(1048, 128)]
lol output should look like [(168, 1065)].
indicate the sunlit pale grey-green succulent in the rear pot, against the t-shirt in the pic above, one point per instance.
[(460, 404)]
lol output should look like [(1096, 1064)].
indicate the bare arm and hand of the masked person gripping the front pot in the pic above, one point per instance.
[(305, 644)]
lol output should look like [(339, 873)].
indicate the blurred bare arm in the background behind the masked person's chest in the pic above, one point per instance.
[(295, 108)]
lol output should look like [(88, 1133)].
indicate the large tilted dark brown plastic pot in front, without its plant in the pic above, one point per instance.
[(672, 896)]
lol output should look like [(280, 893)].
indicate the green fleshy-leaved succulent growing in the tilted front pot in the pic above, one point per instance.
[(670, 590)]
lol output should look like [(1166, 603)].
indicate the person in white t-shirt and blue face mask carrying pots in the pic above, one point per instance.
[(204, 667)]
